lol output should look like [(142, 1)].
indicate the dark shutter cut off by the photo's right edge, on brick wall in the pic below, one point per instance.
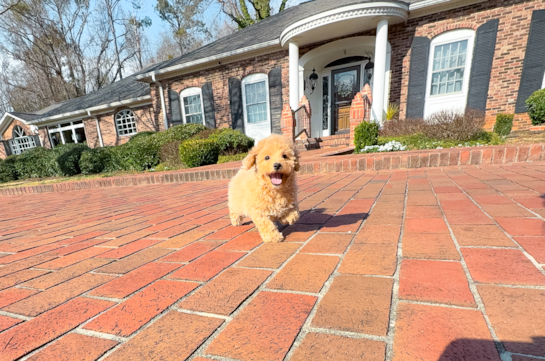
[(534, 61)]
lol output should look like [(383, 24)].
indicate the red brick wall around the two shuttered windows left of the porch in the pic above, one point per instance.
[(219, 77)]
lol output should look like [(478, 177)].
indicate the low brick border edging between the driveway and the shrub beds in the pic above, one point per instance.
[(322, 164)]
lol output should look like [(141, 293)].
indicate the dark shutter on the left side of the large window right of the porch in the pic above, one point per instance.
[(418, 74)]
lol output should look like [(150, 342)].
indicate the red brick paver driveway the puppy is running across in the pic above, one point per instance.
[(424, 264)]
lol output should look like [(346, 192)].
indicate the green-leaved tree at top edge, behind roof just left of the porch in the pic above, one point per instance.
[(238, 10)]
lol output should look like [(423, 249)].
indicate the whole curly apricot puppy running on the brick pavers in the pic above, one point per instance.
[(255, 191)]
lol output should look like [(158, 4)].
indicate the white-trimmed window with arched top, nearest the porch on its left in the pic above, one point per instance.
[(255, 94)]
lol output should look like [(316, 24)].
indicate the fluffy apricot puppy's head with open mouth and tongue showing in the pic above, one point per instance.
[(275, 159)]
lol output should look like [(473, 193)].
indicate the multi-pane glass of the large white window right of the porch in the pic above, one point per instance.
[(448, 68)]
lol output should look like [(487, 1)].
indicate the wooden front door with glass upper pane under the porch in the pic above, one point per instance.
[(345, 86)]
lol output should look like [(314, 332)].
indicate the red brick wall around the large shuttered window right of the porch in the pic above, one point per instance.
[(511, 42)]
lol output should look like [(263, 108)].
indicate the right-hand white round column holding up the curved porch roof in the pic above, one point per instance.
[(379, 72)]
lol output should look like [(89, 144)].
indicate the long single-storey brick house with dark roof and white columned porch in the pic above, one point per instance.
[(330, 56)]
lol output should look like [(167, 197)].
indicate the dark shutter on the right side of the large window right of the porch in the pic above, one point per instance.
[(483, 55)]
